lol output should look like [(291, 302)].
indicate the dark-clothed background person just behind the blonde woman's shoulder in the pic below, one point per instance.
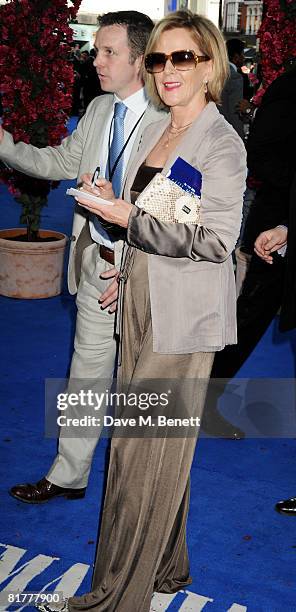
[(232, 93)]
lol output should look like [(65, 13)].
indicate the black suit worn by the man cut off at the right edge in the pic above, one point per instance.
[(266, 288)]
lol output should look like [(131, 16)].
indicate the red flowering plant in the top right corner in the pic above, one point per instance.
[(277, 37)]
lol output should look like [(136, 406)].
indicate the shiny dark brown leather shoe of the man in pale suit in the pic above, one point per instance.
[(43, 491)]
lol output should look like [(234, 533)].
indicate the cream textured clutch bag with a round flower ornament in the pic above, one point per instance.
[(166, 201)]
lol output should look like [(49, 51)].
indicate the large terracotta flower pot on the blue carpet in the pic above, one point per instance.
[(31, 269)]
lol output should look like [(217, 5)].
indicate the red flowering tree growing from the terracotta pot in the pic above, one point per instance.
[(36, 86)]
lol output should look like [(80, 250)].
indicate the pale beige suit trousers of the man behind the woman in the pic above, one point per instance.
[(93, 358)]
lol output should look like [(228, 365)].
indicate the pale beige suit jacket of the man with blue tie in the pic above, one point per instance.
[(76, 155)]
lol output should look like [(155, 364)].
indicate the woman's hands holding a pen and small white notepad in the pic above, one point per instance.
[(117, 213)]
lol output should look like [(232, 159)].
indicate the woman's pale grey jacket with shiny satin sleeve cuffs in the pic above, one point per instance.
[(191, 278)]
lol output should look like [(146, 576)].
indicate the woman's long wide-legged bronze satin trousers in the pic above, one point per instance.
[(142, 543)]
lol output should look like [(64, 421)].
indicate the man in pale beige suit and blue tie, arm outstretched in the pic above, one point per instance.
[(108, 127)]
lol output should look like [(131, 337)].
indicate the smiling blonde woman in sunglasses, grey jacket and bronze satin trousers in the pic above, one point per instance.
[(142, 545)]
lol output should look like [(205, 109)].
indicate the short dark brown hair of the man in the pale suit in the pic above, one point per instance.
[(138, 27)]
